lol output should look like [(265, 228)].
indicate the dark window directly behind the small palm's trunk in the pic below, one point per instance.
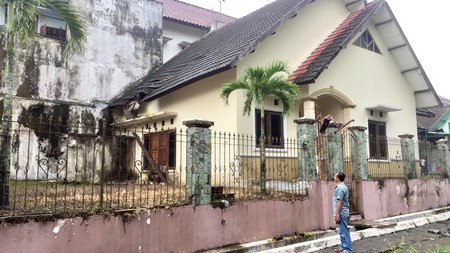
[(273, 128)]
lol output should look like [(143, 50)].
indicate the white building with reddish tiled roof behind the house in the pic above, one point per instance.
[(185, 23)]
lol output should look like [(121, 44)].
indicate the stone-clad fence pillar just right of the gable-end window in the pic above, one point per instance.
[(408, 156)]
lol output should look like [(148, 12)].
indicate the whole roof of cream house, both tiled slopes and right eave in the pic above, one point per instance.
[(225, 47)]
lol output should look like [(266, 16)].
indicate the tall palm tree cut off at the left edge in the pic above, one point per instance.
[(21, 27)]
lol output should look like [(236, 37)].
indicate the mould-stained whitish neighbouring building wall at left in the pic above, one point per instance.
[(124, 43)]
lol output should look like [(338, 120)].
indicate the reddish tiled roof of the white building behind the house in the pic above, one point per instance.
[(187, 13)]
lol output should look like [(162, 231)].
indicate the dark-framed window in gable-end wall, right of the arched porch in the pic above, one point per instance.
[(378, 144)]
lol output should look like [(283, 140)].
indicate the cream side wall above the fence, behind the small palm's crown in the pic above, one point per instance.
[(293, 42)]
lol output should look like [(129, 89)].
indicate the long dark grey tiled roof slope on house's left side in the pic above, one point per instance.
[(220, 50)]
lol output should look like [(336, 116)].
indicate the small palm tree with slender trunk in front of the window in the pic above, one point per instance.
[(258, 83)]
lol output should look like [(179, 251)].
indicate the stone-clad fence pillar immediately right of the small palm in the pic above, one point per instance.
[(306, 136)]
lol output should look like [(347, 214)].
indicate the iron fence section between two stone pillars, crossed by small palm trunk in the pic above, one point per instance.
[(236, 167)]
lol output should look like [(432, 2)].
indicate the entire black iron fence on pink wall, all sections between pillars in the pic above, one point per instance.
[(71, 166)]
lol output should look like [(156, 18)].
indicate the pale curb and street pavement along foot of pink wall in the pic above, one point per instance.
[(420, 232)]
